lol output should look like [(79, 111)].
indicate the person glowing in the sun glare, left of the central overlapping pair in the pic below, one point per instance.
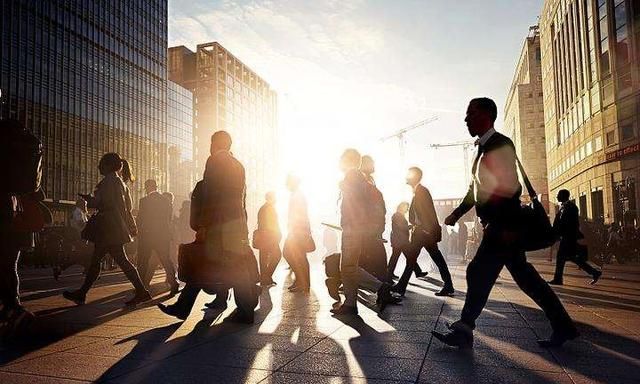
[(299, 237)]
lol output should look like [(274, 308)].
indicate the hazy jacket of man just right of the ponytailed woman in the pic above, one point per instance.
[(154, 216)]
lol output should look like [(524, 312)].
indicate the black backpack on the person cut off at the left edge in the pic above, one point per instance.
[(22, 160)]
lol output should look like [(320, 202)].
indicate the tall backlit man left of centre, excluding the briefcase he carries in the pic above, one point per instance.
[(222, 225)]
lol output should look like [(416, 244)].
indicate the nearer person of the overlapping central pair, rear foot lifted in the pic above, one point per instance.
[(354, 220)]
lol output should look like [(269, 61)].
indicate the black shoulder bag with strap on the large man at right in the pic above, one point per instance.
[(536, 231)]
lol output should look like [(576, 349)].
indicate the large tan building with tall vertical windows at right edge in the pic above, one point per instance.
[(591, 86)]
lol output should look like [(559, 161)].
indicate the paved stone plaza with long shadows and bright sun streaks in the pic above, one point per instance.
[(296, 340)]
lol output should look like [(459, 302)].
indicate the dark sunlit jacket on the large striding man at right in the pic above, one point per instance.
[(495, 190)]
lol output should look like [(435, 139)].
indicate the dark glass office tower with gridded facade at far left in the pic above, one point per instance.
[(87, 77)]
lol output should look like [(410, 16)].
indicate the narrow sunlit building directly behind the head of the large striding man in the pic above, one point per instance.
[(524, 115)]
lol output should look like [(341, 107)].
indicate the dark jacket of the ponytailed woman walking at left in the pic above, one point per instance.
[(111, 198)]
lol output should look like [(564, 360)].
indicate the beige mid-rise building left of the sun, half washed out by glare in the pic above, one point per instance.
[(228, 95)]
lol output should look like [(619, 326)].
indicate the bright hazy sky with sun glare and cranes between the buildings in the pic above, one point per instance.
[(349, 72)]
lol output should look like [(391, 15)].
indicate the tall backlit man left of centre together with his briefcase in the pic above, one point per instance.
[(219, 216)]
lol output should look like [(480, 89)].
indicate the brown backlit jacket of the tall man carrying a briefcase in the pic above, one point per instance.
[(224, 213)]
